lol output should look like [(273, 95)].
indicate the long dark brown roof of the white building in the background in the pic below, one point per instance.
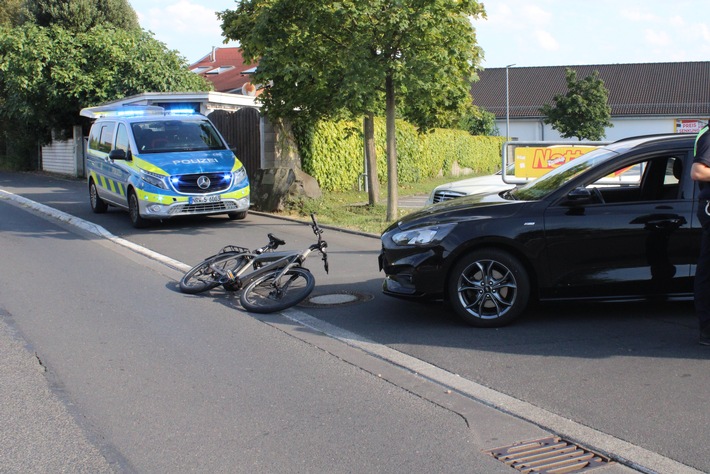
[(679, 89)]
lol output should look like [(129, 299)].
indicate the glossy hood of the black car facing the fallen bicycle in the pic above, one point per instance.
[(476, 206)]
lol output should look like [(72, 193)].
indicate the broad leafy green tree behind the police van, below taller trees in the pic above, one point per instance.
[(48, 74)]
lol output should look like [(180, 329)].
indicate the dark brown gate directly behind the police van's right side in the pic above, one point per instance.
[(241, 130)]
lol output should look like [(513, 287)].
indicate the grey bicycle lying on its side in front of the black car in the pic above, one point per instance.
[(269, 280)]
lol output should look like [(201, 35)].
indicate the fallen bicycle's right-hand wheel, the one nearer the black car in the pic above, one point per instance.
[(267, 294)]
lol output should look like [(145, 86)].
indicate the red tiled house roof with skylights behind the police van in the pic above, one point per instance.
[(225, 69)]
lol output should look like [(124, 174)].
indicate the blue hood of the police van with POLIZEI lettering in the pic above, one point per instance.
[(192, 162)]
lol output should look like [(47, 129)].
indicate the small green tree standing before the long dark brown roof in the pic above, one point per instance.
[(583, 111)]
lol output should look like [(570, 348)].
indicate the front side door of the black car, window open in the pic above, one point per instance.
[(637, 241)]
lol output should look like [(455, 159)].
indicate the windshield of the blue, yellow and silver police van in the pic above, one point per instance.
[(161, 136)]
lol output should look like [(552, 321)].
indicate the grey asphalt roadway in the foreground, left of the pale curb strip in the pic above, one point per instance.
[(142, 378)]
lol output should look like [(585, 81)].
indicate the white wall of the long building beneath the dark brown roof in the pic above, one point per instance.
[(536, 130)]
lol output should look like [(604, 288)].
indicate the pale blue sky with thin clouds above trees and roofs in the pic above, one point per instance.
[(519, 32)]
